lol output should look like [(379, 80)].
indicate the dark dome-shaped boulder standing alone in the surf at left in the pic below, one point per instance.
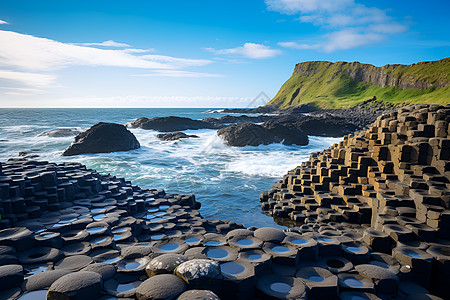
[(103, 138)]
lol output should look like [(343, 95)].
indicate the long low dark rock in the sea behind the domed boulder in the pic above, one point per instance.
[(170, 124)]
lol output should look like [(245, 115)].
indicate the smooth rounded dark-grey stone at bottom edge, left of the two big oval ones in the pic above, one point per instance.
[(76, 286)]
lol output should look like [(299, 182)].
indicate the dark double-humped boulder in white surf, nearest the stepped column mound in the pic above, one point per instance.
[(249, 134)]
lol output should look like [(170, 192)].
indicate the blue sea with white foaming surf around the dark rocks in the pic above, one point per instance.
[(226, 180)]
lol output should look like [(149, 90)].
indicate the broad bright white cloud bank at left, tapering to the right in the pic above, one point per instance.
[(34, 53)]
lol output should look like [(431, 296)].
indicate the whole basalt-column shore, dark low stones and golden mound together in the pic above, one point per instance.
[(69, 232)]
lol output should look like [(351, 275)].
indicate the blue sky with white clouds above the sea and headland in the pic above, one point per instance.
[(205, 53)]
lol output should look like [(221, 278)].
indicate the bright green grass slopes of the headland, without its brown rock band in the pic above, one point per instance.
[(331, 87)]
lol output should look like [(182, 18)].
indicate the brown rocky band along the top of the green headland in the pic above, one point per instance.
[(396, 75)]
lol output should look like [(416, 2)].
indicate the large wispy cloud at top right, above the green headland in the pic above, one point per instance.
[(350, 24)]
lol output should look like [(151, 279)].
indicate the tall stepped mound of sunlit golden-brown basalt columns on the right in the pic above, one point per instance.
[(393, 177)]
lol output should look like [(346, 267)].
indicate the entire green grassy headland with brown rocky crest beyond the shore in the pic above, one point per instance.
[(342, 84)]
